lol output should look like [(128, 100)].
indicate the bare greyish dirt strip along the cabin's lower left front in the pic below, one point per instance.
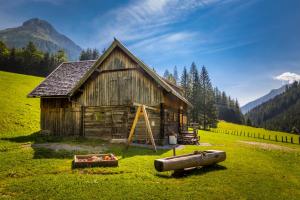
[(68, 147)]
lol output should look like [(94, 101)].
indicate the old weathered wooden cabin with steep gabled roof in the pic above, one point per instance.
[(99, 98)]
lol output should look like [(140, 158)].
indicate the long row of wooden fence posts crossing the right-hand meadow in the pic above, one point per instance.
[(285, 139)]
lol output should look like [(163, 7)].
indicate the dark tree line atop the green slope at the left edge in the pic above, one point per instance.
[(29, 60)]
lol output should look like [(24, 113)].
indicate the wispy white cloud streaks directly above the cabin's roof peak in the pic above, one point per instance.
[(147, 20)]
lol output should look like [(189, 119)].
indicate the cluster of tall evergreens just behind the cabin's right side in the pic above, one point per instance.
[(209, 104)]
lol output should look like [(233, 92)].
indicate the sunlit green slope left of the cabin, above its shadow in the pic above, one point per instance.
[(18, 113)]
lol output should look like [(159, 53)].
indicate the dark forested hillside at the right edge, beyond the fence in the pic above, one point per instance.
[(280, 113)]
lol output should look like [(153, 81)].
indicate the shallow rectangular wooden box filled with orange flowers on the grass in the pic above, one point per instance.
[(95, 160)]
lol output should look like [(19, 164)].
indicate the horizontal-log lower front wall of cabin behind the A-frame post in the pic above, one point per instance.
[(110, 122)]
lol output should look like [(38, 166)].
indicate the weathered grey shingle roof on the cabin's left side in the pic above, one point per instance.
[(63, 79)]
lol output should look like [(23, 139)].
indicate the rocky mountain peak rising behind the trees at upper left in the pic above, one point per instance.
[(43, 35)]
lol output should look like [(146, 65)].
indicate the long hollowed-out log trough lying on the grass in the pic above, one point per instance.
[(196, 159)]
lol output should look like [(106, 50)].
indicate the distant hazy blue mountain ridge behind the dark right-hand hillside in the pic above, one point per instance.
[(273, 93)]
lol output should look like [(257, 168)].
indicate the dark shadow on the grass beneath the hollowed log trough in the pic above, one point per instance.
[(194, 171)]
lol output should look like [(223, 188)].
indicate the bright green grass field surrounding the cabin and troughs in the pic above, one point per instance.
[(249, 172)]
